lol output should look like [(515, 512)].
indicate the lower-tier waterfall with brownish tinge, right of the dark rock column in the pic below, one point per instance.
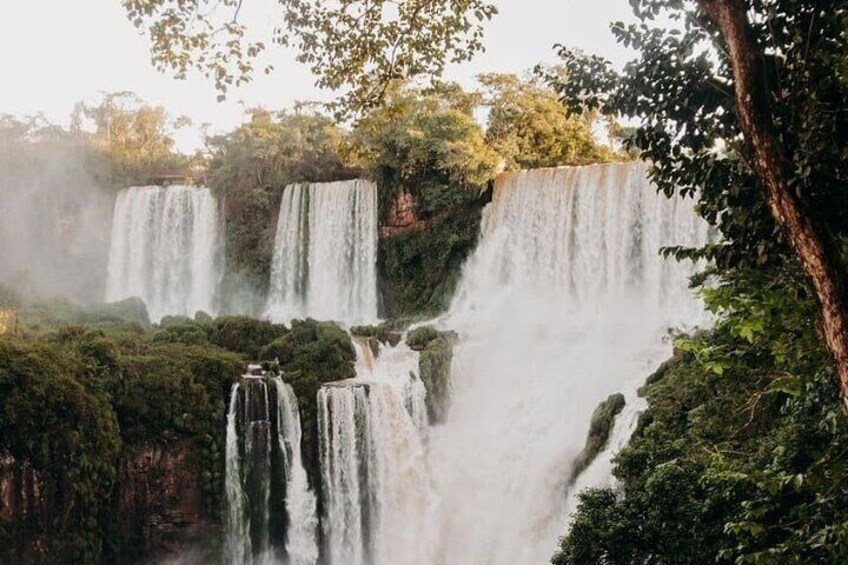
[(379, 503)]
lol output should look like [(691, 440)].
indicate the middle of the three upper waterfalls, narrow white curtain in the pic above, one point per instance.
[(325, 253)]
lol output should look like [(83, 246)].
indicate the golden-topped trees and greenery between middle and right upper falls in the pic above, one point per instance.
[(423, 149)]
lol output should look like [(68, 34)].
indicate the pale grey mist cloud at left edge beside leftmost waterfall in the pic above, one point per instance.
[(54, 214)]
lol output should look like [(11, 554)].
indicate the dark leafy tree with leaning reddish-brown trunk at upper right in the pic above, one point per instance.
[(744, 103)]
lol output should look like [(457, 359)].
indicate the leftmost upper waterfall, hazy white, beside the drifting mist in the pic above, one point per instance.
[(164, 249)]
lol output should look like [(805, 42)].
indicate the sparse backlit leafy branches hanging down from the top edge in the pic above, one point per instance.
[(358, 45)]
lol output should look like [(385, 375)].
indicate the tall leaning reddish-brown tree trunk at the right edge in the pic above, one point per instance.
[(812, 243)]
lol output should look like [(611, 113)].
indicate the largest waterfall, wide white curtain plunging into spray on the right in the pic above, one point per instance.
[(564, 301)]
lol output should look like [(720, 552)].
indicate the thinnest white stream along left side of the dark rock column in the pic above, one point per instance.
[(237, 544)]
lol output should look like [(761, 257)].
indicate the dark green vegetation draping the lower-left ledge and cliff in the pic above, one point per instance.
[(73, 400)]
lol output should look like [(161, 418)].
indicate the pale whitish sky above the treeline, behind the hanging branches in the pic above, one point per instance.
[(57, 52)]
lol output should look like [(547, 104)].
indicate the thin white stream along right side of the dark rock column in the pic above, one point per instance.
[(301, 505)]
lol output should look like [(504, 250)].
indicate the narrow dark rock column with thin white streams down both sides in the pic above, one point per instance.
[(250, 479)]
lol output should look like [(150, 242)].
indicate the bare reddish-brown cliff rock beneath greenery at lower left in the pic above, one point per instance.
[(158, 507)]
